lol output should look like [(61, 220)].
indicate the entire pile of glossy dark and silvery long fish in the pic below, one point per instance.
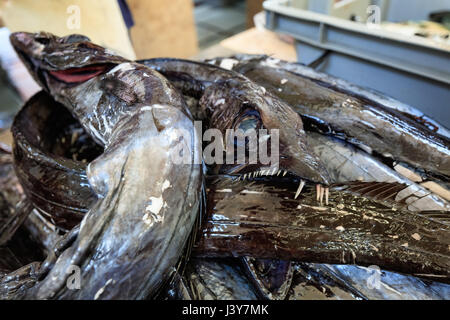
[(336, 218)]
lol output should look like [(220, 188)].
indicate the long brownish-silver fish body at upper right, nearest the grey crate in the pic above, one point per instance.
[(365, 122)]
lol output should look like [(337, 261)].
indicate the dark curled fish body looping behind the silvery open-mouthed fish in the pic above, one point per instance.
[(61, 190)]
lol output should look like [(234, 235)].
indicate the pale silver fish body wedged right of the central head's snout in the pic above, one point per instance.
[(346, 163)]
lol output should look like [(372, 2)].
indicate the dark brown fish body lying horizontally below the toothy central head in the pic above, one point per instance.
[(263, 220)]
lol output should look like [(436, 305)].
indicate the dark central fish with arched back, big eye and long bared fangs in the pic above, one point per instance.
[(229, 100)]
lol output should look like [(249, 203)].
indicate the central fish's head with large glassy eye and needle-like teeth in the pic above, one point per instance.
[(276, 124)]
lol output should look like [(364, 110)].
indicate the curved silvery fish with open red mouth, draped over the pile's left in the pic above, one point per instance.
[(132, 238)]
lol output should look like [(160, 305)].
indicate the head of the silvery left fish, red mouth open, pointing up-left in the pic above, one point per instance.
[(79, 75)]
